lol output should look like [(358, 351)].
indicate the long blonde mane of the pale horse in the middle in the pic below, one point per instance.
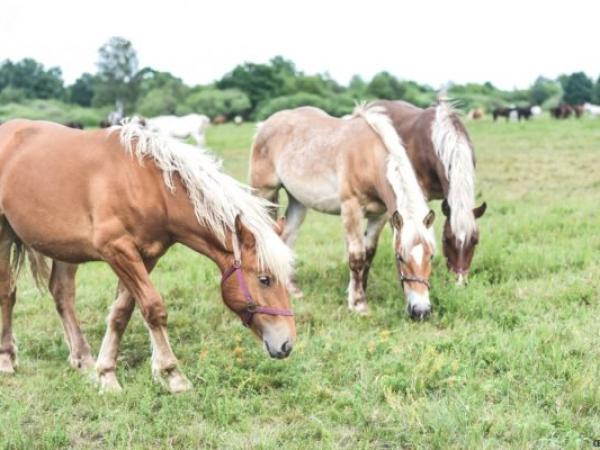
[(410, 200)]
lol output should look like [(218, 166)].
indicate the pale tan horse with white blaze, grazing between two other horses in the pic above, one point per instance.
[(355, 167)]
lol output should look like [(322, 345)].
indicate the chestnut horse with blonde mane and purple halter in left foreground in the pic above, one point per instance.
[(125, 196)]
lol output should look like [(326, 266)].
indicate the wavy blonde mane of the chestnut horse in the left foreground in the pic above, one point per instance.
[(217, 198)]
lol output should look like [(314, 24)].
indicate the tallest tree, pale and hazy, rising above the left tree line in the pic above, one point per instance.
[(117, 67)]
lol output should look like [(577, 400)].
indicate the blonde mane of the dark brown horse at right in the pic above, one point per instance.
[(454, 151)]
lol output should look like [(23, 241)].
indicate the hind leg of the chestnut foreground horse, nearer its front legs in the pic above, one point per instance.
[(62, 287)]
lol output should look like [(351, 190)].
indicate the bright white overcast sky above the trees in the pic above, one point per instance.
[(506, 42)]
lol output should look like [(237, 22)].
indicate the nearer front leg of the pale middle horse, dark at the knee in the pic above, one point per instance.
[(352, 218)]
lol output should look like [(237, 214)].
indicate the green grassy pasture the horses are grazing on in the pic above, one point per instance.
[(511, 361)]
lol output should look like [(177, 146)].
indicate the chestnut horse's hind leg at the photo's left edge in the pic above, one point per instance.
[(8, 290)]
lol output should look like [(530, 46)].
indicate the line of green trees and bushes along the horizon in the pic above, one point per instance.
[(255, 91)]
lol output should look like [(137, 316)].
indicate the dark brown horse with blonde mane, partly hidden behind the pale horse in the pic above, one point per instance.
[(442, 155)]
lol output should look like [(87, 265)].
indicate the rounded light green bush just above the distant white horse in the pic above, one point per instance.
[(215, 102)]
